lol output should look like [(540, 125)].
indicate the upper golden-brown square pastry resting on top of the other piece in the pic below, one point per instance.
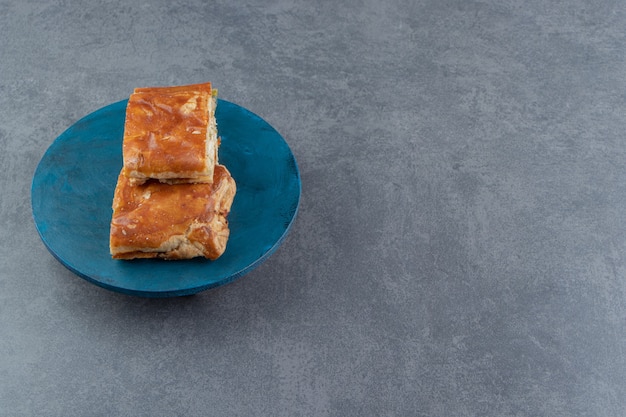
[(170, 134)]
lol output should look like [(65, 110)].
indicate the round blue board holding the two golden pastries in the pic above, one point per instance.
[(73, 186)]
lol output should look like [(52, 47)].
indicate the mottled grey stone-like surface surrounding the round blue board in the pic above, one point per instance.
[(460, 247)]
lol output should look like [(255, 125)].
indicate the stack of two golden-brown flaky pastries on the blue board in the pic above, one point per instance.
[(172, 197)]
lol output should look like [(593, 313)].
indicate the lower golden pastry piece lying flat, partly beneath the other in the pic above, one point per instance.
[(181, 221)]
